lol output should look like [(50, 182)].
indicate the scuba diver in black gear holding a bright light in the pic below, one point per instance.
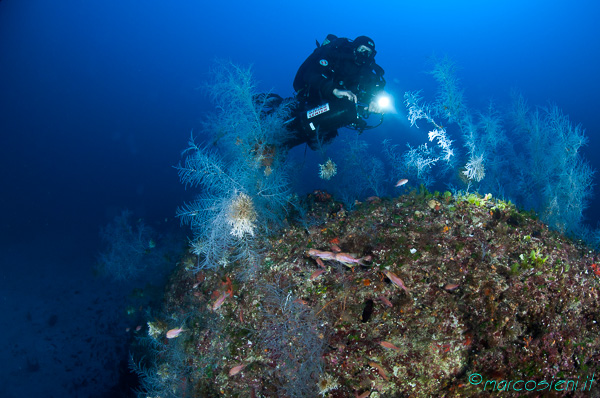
[(338, 85)]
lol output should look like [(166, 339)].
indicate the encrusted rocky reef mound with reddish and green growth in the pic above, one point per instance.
[(454, 296)]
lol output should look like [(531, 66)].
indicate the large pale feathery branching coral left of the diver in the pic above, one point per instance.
[(243, 177)]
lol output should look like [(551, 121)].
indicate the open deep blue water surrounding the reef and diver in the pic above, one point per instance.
[(97, 100)]
